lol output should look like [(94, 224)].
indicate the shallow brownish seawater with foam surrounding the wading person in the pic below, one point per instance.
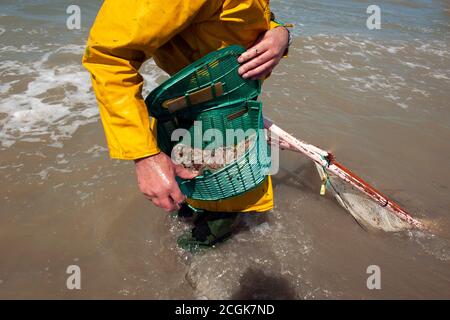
[(377, 99)]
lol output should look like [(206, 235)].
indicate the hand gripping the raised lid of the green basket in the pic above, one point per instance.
[(259, 61)]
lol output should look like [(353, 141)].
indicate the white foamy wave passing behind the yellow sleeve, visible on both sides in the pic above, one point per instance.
[(44, 100)]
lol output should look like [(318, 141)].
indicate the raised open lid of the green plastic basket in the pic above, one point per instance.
[(210, 81)]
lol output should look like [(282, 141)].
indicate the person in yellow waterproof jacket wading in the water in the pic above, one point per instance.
[(175, 34)]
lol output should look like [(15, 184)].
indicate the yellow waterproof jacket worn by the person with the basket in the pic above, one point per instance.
[(174, 33)]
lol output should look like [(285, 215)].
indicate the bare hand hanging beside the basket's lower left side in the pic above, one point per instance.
[(156, 179)]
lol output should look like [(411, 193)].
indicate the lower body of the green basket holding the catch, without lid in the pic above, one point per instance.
[(244, 173)]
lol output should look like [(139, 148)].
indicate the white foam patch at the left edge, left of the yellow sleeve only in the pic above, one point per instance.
[(53, 103)]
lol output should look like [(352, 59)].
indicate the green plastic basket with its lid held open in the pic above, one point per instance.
[(210, 91)]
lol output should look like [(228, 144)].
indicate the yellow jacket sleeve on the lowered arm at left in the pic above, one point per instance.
[(124, 35)]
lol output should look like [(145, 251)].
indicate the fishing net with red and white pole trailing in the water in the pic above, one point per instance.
[(368, 206)]
